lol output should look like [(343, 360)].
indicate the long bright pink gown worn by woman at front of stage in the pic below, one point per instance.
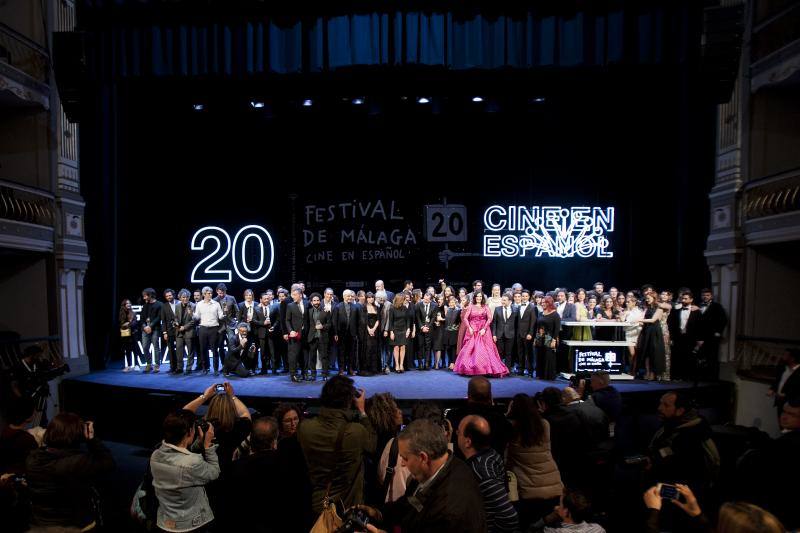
[(478, 355)]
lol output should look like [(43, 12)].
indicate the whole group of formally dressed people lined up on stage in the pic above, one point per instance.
[(471, 333)]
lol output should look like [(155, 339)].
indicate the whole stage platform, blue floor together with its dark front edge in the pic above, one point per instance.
[(129, 407)]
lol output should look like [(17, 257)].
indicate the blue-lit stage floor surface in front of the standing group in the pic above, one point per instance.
[(411, 385)]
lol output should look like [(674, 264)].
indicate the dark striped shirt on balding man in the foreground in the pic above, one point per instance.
[(491, 475)]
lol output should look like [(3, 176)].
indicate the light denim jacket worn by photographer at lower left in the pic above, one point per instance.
[(179, 479)]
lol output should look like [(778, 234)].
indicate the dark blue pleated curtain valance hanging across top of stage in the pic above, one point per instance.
[(261, 44)]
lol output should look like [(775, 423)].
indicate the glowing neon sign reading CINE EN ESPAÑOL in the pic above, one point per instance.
[(551, 231)]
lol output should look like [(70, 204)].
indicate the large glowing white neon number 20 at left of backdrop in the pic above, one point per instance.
[(217, 243)]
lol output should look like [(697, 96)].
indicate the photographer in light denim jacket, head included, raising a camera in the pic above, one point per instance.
[(180, 476)]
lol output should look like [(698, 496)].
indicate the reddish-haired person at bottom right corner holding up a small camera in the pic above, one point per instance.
[(735, 517)]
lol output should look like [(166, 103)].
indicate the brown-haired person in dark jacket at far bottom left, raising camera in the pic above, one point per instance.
[(62, 475)]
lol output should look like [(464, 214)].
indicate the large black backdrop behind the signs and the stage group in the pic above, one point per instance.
[(643, 145)]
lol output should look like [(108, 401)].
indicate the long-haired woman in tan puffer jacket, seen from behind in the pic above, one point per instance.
[(529, 458)]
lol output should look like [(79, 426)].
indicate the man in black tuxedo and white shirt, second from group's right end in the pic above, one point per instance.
[(686, 334)]
